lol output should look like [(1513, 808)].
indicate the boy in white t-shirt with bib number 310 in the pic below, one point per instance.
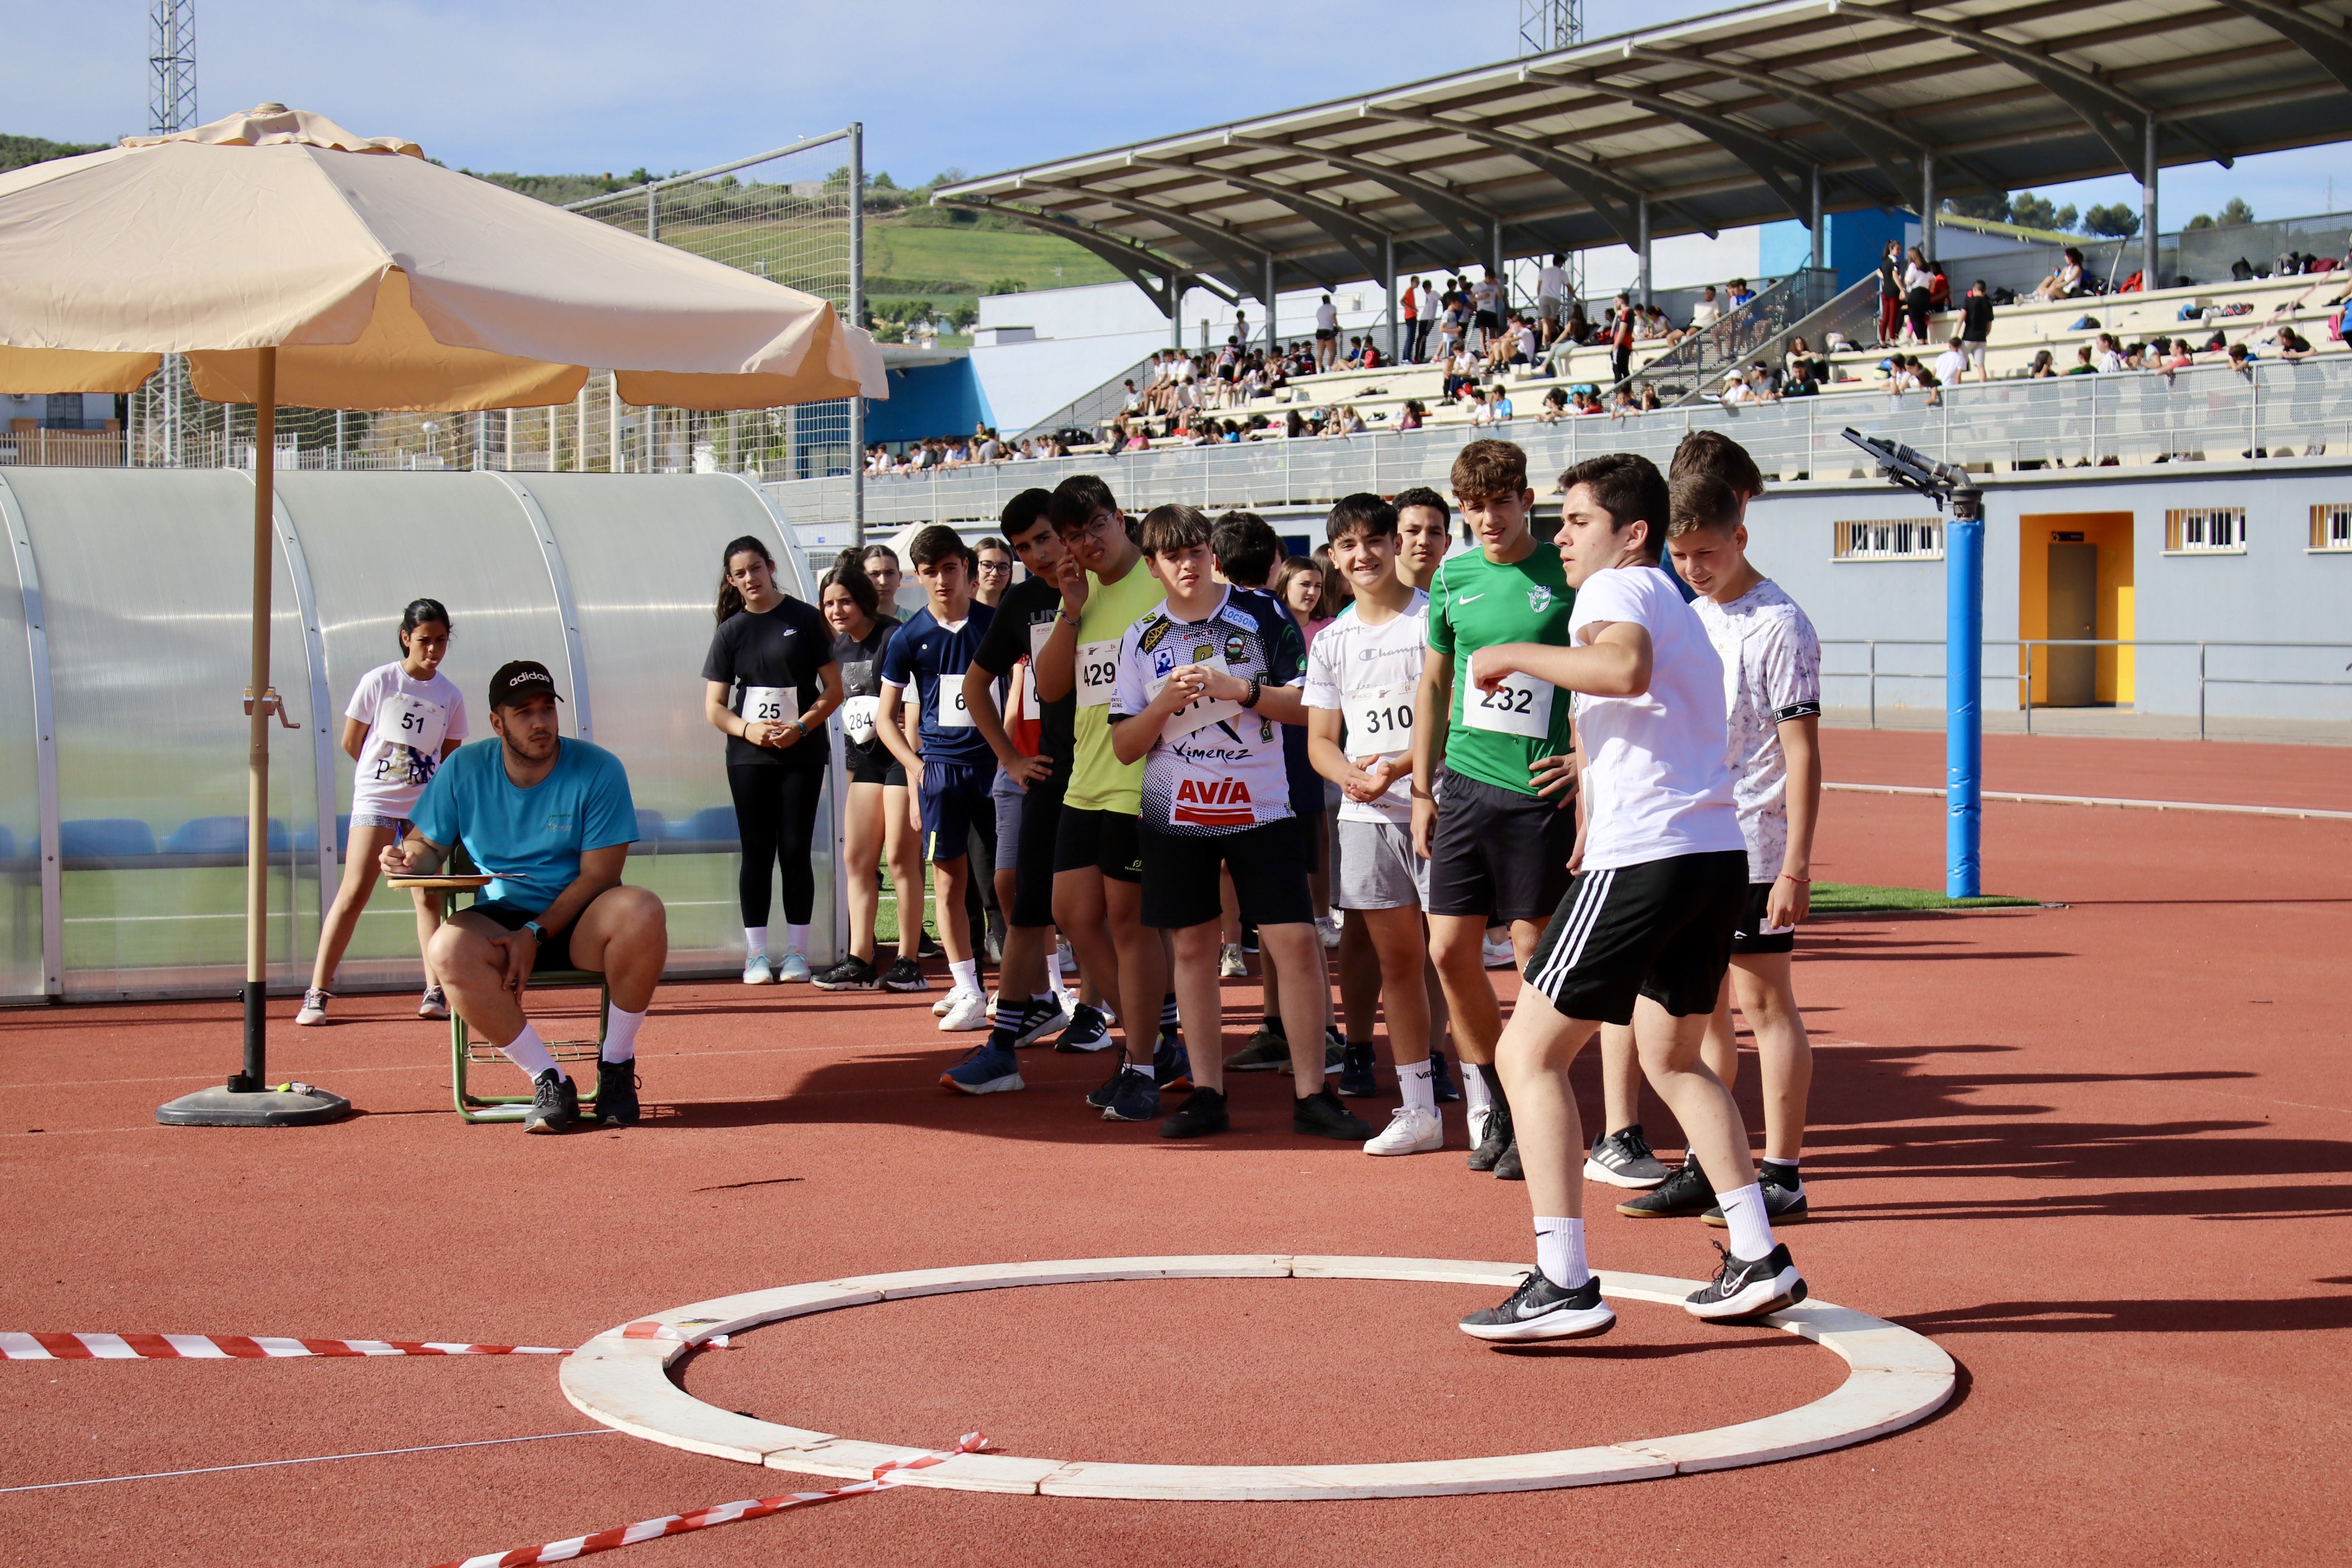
[(1363, 676)]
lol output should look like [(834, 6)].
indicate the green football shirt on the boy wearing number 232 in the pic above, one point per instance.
[(1495, 737)]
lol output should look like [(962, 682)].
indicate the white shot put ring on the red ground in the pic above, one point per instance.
[(622, 1379)]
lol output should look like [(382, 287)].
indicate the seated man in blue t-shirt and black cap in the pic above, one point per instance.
[(552, 822)]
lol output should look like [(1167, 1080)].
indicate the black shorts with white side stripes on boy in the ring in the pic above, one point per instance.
[(1657, 930)]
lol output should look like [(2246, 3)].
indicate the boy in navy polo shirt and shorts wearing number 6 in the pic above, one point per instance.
[(956, 765)]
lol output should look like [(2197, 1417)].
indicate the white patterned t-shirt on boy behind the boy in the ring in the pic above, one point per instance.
[(1772, 674)]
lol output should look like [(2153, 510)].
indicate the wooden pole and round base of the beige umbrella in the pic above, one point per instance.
[(248, 1099)]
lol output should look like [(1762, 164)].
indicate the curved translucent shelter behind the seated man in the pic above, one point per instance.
[(123, 662)]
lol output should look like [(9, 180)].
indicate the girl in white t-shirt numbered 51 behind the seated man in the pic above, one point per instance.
[(401, 723)]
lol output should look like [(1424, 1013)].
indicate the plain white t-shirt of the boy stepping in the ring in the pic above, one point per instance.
[(1655, 782)]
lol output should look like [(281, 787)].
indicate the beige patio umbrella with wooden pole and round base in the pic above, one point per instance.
[(298, 264)]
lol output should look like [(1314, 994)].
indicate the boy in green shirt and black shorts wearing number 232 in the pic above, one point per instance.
[(1492, 770)]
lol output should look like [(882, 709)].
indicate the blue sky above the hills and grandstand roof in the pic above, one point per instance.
[(589, 86)]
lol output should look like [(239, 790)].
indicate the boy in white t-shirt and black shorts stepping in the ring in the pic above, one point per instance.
[(1645, 932)]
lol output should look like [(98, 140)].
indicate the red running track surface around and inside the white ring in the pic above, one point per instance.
[(2099, 1153)]
